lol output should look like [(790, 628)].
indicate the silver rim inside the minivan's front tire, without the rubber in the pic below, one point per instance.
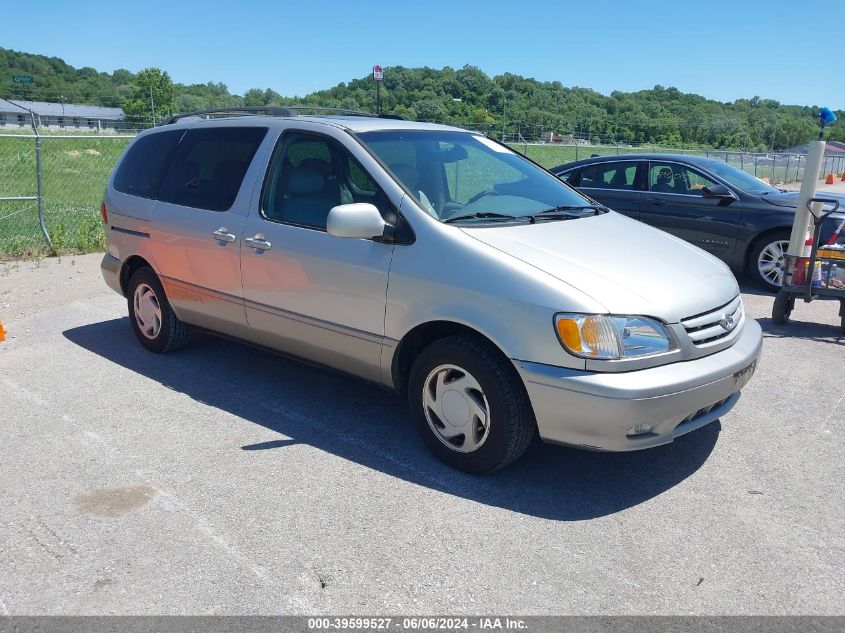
[(456, 408)]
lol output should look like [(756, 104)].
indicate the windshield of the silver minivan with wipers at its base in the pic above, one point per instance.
[(465, 177)]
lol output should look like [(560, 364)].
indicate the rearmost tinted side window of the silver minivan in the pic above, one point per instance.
[(142, 169)]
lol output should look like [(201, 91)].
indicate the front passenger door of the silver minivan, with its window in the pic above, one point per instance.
[(309, 293)]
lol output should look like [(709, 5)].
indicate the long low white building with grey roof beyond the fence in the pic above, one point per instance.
[(17, 113)]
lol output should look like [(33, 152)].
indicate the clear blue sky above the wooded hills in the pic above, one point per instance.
[(722, 50)]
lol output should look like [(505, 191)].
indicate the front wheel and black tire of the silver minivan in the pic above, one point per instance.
[(469, 405)]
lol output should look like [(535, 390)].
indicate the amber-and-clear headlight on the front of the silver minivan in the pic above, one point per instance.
[(606, 337)]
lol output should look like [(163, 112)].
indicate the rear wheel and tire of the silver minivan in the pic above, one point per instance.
[(153, 321)]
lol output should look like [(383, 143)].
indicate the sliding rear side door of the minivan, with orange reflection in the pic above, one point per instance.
[(198, 225)]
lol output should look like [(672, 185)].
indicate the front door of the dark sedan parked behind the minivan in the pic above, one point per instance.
[(675, 204)]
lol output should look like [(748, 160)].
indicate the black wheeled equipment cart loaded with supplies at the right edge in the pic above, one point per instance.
[(821, 274)]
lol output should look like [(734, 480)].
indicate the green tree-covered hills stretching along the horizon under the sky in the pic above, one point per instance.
[(506, 105)]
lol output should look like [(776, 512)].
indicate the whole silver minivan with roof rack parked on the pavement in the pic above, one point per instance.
[(433, 261)]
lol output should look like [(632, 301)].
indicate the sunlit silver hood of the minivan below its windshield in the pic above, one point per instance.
[(624, 265)]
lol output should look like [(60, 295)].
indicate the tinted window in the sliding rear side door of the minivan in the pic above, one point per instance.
[(209, 165)]
